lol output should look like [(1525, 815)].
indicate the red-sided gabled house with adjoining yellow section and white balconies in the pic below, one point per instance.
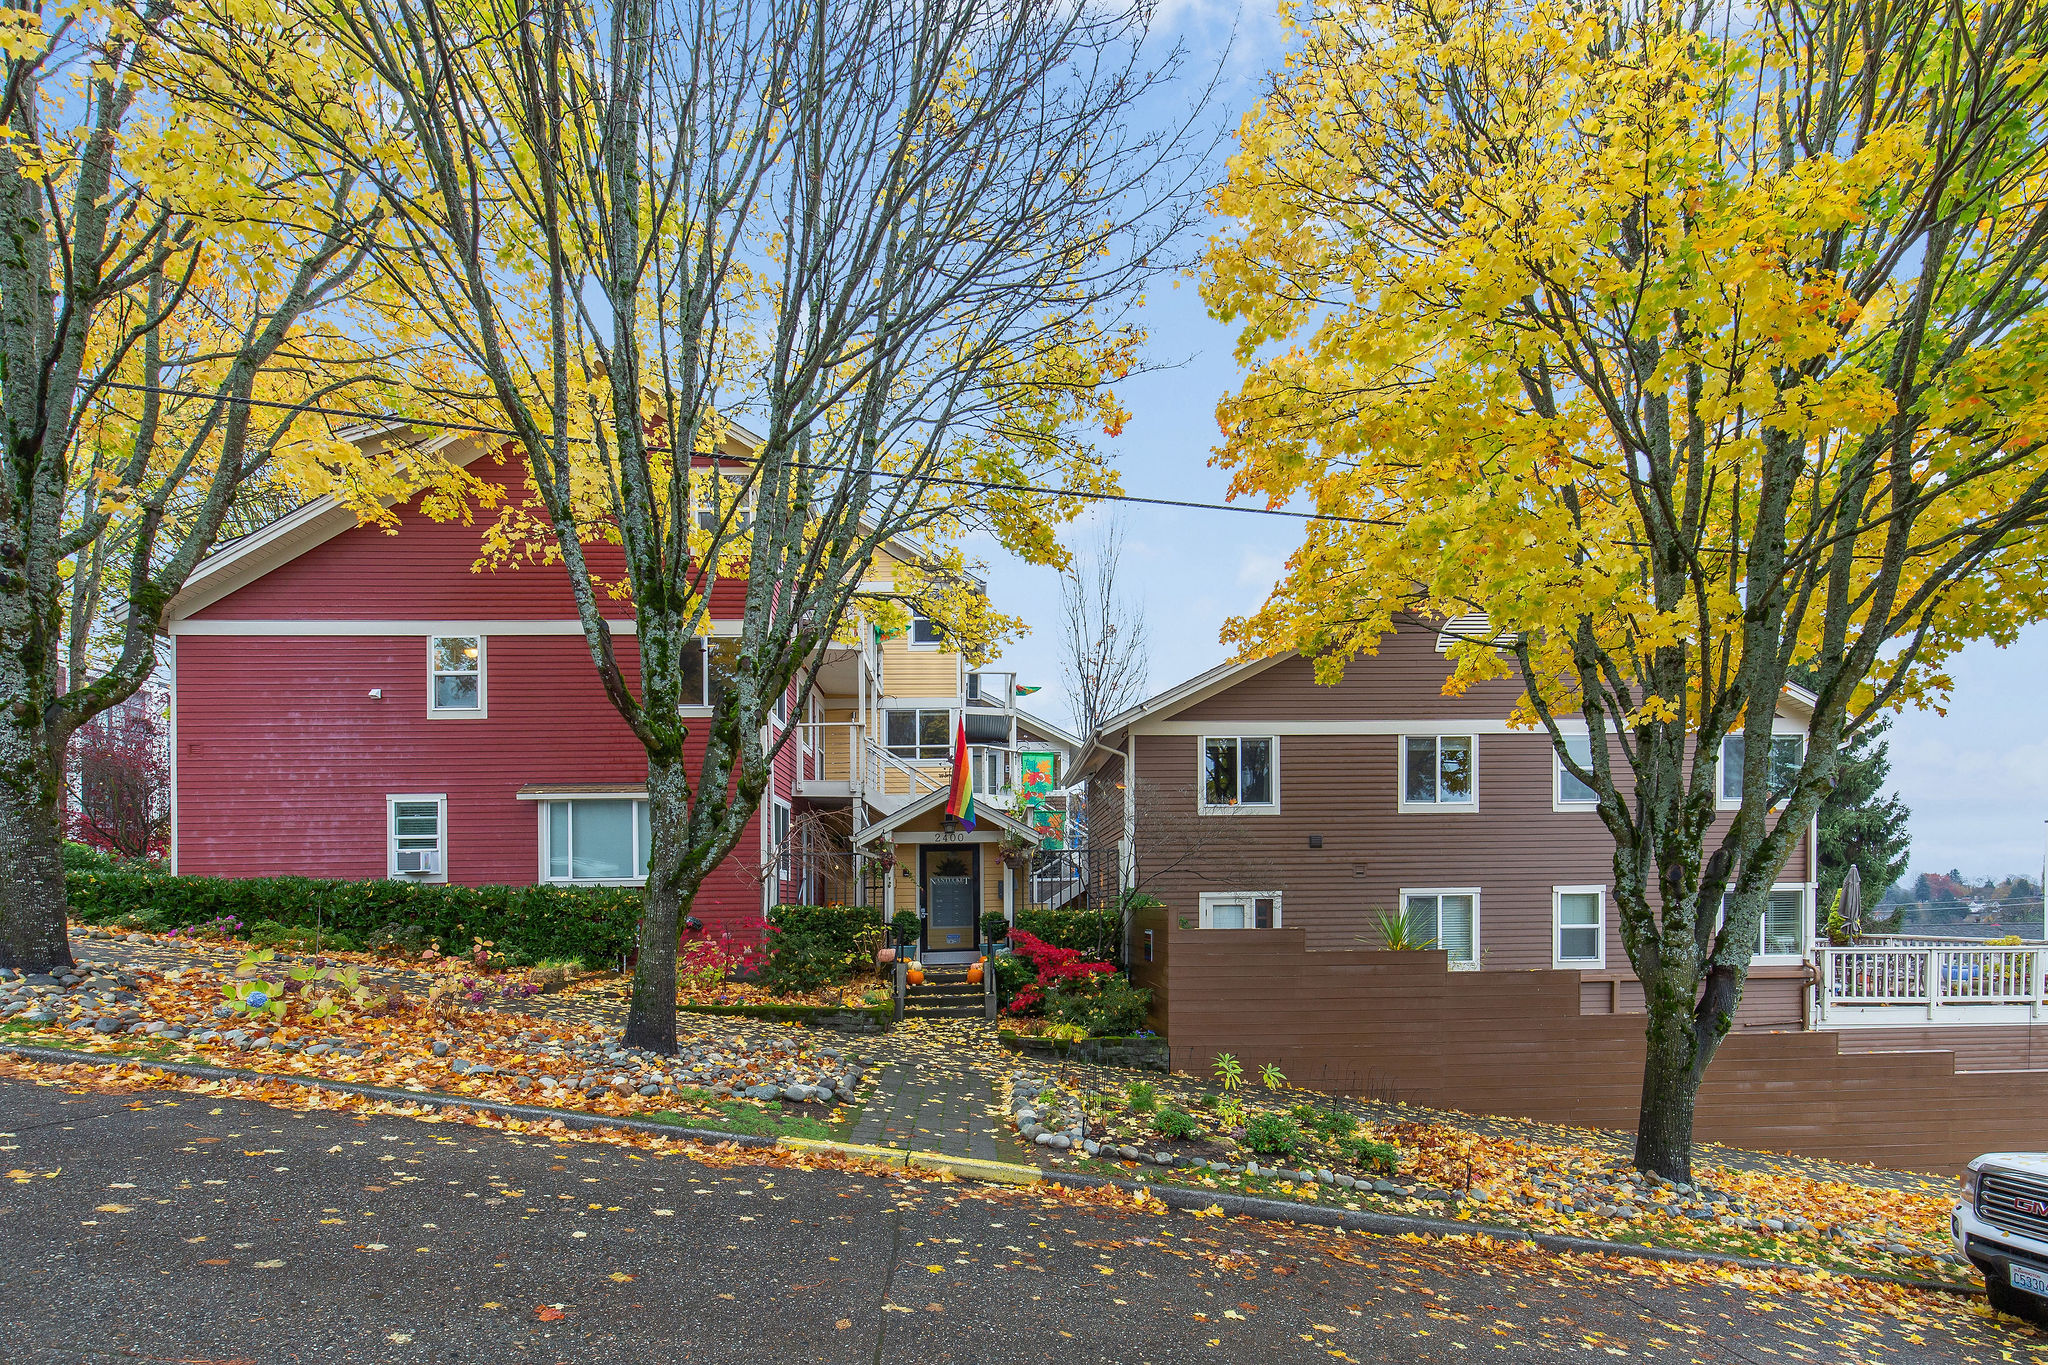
[(361, 703)]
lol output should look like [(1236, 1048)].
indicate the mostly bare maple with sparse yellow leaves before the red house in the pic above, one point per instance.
[(775, 294)]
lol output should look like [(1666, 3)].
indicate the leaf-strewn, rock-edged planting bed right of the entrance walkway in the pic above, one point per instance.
[(1285, 1143)]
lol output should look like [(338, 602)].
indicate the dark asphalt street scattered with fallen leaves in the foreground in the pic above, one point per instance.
[(216, 1231)]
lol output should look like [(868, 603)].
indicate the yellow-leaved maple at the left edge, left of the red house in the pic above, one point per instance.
[(175, 290)]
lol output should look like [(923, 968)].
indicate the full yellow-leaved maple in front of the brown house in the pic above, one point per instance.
[(1689, 349)]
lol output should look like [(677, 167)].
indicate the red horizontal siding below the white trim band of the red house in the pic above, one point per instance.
[(286, 760)]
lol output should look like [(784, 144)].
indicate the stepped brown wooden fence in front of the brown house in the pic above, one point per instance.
[(1402, 1026)]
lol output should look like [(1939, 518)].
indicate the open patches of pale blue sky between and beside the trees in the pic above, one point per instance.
[(1977, 777)]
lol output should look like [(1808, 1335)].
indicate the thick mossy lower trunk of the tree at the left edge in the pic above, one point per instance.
[(34, 934)]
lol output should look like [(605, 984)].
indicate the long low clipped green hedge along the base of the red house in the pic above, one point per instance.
[(591, 924)]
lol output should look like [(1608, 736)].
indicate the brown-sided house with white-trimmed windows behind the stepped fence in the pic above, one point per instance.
[(1256, 799)]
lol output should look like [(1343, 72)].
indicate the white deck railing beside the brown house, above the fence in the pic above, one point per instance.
[(1940, 981)]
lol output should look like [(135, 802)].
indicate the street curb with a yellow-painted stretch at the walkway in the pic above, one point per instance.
[(1007, 1174)]
